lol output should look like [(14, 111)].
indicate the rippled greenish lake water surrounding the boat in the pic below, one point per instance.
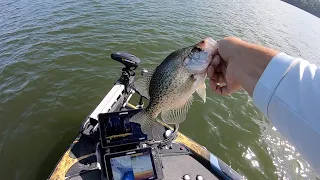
[(55, 68)]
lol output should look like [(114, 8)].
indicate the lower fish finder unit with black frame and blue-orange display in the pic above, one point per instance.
[(135, 164)]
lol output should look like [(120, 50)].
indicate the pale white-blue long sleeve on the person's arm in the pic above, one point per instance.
[(288, 93)]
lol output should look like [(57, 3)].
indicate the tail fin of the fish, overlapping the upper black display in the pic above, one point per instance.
[(145, 120)]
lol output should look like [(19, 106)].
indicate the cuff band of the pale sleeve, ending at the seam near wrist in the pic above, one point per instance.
[(270, 79)]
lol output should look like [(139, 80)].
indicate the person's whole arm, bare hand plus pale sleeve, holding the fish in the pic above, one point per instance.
[(285, 89)]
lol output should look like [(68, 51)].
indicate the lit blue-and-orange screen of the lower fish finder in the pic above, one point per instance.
[(136, 167)]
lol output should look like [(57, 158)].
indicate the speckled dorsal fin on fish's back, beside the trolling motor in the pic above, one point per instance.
[(142, 84)]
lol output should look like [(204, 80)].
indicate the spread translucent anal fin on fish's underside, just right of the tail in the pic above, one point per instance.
[(177, 115)]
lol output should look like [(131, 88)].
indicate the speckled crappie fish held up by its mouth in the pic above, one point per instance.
[(171, 85)]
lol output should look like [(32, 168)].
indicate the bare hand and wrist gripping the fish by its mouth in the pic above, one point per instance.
[(237, 64)]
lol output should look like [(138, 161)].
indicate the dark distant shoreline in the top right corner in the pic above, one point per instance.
[(310, 6)]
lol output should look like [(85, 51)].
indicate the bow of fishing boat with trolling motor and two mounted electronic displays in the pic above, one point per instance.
[(110, 147)]
